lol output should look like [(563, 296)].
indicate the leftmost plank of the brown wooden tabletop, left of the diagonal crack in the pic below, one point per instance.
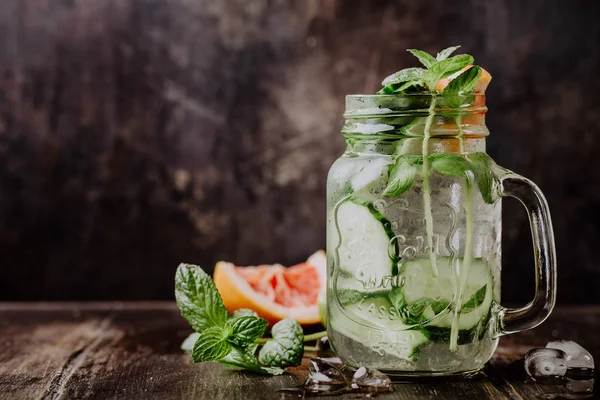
[(37, 356)]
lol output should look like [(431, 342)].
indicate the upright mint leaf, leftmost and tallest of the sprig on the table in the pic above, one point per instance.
[(198, 299)]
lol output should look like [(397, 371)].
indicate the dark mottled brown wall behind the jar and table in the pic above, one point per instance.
[(135, 134)]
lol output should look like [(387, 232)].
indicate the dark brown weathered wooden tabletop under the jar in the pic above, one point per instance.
[(131, 350)]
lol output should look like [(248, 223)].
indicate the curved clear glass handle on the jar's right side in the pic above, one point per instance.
[(513, 320)]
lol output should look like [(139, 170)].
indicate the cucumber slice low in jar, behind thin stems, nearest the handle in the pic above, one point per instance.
[(425, 296)]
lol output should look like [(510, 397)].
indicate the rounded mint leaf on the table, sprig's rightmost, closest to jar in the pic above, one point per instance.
[(286, 348)]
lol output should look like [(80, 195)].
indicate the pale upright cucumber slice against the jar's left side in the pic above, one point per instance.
[(363, 252)]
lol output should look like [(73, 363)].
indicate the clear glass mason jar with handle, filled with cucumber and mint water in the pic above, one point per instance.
[(414, 238)]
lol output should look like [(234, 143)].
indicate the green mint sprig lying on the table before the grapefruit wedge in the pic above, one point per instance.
[(232, 341)]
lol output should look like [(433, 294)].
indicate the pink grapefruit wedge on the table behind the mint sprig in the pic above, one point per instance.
[(275, 292)]
